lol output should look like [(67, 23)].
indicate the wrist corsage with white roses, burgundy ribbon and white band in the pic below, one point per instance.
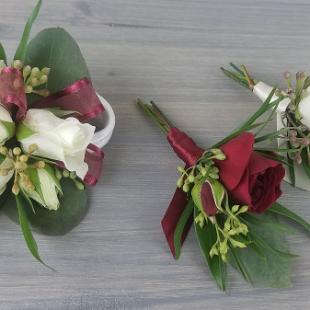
[(49, 151)]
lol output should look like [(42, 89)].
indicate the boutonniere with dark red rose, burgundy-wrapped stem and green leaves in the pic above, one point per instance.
[(229, 191)]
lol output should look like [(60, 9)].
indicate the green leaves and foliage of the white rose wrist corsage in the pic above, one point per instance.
[(55, 49)]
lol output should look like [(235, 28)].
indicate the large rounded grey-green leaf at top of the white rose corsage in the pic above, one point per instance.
[(56, 49)]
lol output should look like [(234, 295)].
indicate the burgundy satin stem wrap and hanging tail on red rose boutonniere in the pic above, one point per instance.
[(188, 151)]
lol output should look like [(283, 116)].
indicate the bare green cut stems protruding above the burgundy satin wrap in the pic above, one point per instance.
[(155, 114)]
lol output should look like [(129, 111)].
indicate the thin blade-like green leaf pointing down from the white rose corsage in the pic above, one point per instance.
[(23, 221)]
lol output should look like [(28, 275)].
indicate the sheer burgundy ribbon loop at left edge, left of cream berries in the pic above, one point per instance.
[(12, 92)]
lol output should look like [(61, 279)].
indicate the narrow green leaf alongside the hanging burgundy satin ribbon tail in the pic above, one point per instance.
[(177, 238)]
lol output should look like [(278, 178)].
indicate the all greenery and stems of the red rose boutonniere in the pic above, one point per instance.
[(256, 247)]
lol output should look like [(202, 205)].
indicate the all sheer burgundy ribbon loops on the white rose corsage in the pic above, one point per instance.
[(80, 97)]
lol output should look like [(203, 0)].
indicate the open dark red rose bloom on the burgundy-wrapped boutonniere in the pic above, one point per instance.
[(250, 178)]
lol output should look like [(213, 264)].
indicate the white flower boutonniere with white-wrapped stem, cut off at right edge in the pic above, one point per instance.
[(293, 119)]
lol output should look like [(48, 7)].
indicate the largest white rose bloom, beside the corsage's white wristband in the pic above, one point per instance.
[(65, 140)]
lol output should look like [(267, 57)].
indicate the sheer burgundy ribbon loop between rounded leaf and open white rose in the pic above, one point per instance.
[(79, 96)]
